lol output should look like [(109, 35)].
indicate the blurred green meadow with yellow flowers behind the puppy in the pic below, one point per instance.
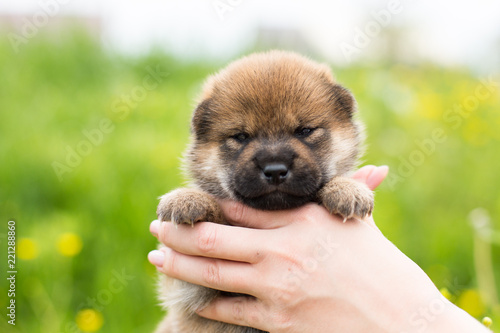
[(90, 139)]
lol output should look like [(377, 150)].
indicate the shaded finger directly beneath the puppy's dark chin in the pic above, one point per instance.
[(238, 214)]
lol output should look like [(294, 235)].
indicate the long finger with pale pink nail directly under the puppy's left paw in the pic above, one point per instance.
[(212, 240)]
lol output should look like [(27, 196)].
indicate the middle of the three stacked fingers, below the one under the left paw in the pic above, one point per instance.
[(217, 274)]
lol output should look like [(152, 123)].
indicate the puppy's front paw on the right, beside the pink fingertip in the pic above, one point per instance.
[(347, 198)]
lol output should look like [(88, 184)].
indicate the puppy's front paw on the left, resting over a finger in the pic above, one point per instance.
[(189, 206)]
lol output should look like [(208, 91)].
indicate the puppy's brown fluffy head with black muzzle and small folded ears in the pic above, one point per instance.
[(271, 130)]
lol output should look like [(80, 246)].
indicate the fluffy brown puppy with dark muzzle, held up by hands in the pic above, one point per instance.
[(274, 131)]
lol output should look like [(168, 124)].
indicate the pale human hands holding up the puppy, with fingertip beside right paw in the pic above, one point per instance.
[(305, 271)]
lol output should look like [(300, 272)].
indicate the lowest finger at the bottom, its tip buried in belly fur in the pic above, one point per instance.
[(241, 311)]
